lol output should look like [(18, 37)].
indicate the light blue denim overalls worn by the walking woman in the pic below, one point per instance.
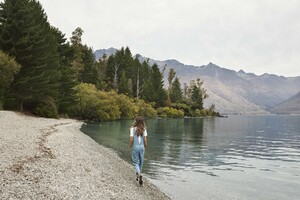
[(138, 151)]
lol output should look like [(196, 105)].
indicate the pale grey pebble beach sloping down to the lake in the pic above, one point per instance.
[(51, 159)]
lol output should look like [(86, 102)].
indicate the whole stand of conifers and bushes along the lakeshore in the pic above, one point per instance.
[(44, 73)]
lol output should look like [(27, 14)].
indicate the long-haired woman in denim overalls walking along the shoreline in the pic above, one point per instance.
[(138, 142)]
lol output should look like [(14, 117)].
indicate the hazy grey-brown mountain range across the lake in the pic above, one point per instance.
[(234, 92)]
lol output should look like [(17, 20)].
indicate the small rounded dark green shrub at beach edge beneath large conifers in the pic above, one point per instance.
[(46, 108)]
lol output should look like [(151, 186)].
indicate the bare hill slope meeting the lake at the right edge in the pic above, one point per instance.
[(289, 106)]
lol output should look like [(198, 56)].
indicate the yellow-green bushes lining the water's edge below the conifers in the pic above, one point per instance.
[(104, 106)]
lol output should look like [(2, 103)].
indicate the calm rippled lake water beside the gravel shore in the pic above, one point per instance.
[(239, 157)]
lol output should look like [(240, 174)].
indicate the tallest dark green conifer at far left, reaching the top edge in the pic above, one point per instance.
[(26, 35)]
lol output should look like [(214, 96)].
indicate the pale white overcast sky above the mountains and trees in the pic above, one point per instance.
[(259, 36)]
